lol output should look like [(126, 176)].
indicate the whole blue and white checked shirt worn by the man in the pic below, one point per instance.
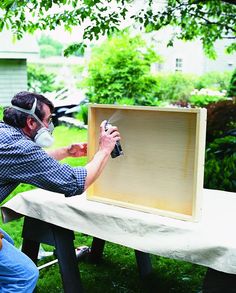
[(22, 161)]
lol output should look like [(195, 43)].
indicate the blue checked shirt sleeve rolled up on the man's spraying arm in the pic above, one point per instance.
[(32, 165)]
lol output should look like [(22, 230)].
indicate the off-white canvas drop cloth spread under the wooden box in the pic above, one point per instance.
[(210, 242)]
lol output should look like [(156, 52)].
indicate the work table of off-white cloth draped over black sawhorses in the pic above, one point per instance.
[(52, 218)]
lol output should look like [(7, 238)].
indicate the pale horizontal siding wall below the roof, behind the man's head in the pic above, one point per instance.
[(13, 79)]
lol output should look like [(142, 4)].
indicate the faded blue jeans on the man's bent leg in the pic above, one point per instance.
[(18, 273)]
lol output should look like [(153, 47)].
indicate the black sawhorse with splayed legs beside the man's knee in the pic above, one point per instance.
[(36, 232)]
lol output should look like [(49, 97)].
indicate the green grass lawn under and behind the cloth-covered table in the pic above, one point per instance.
[(117, 272)]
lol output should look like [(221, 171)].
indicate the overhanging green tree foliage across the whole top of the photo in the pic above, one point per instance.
[(209, 20)]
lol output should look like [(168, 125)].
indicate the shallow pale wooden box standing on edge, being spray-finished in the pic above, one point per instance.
[(163, 164)]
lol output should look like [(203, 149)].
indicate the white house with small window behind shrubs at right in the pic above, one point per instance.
[(189, 57)]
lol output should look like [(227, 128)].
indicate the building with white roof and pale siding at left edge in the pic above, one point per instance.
[(13, 64)]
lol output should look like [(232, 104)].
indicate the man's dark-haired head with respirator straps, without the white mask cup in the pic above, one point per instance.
[(40, 111)]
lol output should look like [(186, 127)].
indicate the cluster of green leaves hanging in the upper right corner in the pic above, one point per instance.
[(208, 20)]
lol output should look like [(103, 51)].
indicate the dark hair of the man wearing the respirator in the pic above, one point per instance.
[(25, 100)]
